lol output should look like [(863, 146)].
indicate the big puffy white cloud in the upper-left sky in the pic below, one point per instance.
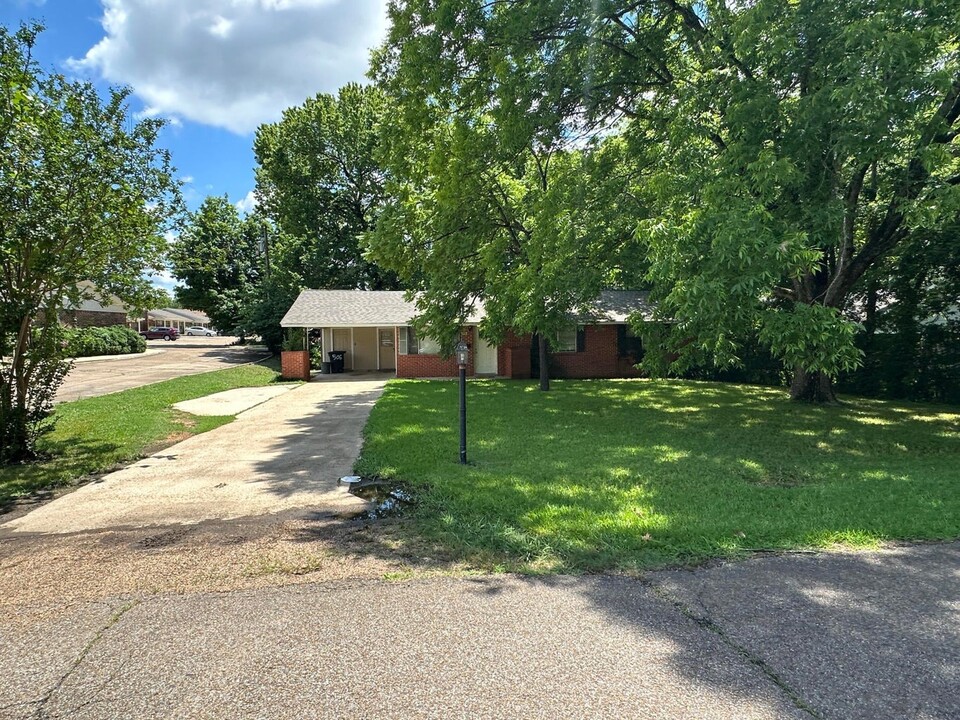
[(234, 63)]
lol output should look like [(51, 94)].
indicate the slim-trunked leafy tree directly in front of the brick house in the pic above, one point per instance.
[(495, 197)]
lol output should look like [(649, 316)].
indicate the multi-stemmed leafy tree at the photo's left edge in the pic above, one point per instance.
[(84, 195)]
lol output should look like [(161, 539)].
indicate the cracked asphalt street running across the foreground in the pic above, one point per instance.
[(787, 637)]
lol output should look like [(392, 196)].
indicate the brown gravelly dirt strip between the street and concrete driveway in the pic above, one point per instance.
[(213, 556)]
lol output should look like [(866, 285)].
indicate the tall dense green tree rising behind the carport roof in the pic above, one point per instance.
[(320, 184)]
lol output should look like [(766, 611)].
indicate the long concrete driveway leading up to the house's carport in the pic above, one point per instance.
[(285, 454)]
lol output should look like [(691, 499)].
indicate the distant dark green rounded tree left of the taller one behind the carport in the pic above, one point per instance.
[(218, 258)]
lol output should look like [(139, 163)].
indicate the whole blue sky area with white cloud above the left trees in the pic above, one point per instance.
[(215, 69)]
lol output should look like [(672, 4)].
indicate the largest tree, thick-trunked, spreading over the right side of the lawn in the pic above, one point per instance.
[(790, 146)]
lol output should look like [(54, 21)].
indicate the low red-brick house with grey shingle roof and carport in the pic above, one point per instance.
[(372, 328)]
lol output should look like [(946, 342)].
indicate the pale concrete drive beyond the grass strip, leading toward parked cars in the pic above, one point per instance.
[(165, 360)]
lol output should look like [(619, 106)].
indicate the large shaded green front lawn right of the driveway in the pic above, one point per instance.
[(626, 475)]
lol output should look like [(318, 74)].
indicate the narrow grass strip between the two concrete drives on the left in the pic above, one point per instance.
[(98, 434)]
